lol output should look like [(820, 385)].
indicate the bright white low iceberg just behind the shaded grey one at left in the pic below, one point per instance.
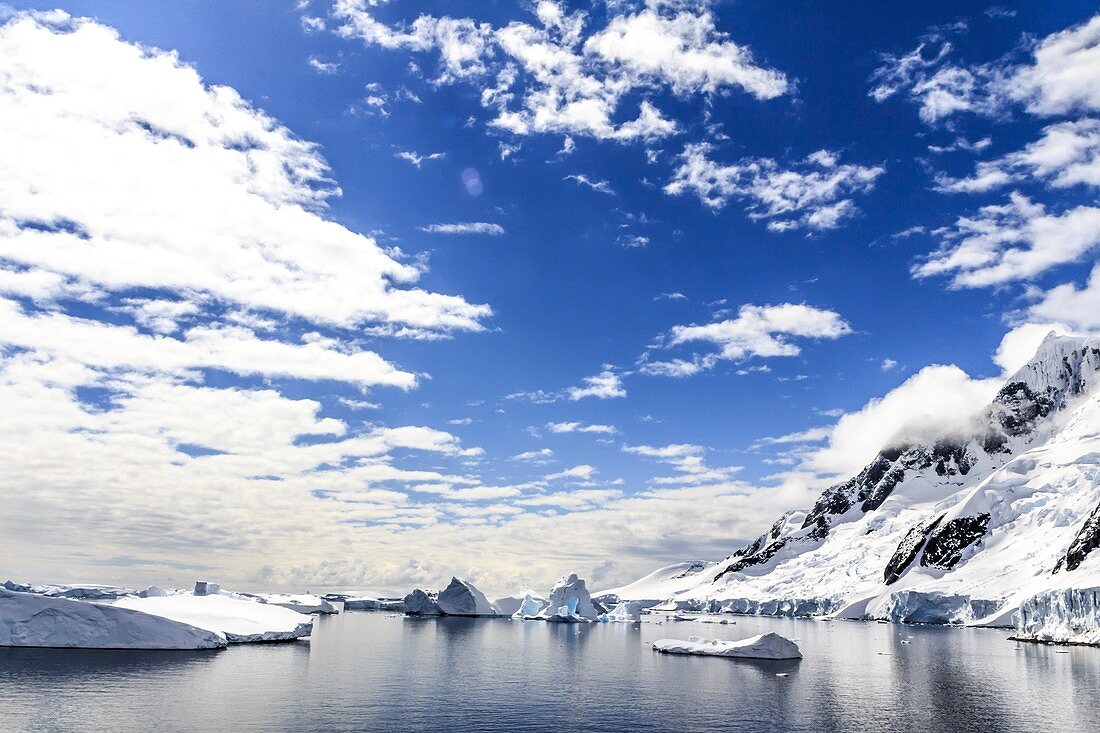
[(239, 620)]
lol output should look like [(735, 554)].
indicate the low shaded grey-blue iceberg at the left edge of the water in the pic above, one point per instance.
[(45, 621)]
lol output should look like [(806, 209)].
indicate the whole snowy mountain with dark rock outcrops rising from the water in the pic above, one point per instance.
[(964, 529)]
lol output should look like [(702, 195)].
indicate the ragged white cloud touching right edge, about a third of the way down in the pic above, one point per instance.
[(1007, 243)]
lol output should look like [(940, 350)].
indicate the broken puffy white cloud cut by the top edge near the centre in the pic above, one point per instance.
[(571, 73)]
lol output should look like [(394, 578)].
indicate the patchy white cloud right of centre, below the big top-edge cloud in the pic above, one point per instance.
[(812, 194)]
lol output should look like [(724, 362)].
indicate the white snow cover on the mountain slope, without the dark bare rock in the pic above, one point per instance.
[(1039, 490)]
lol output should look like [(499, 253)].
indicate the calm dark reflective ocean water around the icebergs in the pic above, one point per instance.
[(369, 672)]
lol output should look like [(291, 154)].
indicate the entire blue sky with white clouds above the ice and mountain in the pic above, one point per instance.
[(370, 293)]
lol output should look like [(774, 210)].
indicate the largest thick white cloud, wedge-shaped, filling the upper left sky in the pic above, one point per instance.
[(135, 174)]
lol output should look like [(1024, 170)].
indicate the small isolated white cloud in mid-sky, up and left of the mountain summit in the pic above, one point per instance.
[(762, 332)]
